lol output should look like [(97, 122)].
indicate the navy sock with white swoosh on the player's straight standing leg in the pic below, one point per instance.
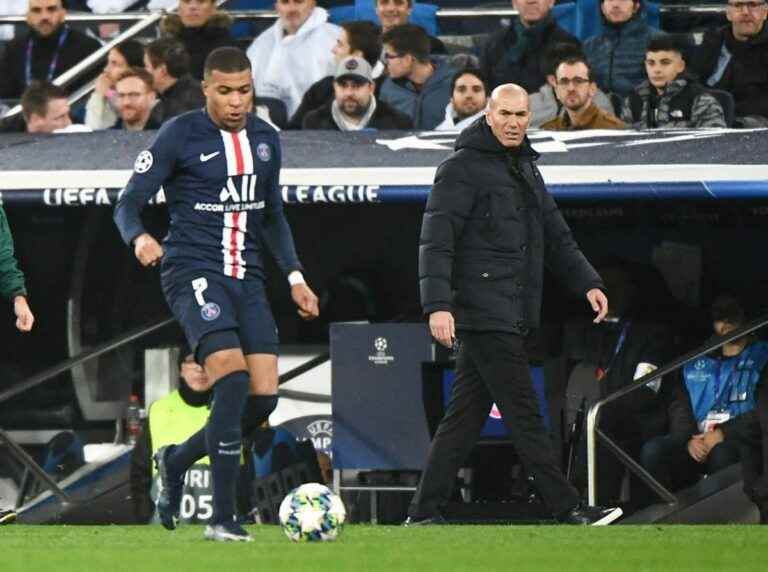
[(223, 440)]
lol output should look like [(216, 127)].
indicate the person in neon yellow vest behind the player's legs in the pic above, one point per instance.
[(171, 419)]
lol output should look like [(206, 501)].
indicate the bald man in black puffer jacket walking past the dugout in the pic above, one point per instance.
[(489, 228)]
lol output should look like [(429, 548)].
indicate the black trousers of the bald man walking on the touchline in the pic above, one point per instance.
[(491, 366)]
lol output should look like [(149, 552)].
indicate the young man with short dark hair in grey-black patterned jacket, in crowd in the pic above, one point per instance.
[(670, 98)]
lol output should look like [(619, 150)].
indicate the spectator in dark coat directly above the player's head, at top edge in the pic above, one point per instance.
[(202, 28)]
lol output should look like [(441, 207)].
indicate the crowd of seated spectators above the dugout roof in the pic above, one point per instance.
[(636, 74)]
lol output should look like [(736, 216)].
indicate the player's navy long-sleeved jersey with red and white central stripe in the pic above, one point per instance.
[(223, 195)]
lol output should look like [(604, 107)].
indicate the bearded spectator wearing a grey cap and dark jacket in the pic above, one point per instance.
[(354, 106)]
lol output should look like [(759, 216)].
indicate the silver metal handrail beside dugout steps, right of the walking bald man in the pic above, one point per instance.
[(593, 417)]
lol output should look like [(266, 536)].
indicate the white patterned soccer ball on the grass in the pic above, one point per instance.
[(312, 513)]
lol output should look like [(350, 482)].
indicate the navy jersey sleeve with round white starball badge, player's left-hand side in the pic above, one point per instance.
[(152, 168)]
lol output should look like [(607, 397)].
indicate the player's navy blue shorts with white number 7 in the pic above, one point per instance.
[(237, 310)]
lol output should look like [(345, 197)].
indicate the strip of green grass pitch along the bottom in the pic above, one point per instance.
[(361, 548)]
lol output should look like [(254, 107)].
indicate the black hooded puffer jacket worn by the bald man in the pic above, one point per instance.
[(489, 228)]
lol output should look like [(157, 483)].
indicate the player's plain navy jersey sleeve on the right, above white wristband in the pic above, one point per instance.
[(275, 230)]
